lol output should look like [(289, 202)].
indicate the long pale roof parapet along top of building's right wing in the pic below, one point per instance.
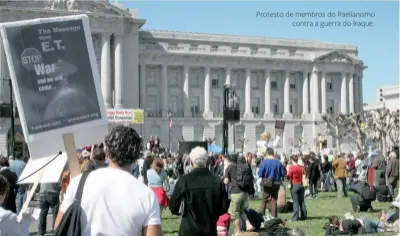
[(236, 39)]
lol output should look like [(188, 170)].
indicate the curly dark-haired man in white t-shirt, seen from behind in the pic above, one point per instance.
[(114, 202)]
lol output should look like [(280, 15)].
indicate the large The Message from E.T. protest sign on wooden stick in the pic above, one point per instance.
[(56, 85)]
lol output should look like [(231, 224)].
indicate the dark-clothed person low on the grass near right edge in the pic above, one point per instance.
[(365, 194)]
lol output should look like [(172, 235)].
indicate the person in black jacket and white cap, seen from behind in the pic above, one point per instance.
[(199, 197)]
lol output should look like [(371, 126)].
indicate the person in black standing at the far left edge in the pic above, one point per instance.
[(12, 178)]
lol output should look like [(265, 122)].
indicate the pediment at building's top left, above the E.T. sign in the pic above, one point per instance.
[(100, 7)]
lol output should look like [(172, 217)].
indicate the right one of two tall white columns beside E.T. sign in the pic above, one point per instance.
[(118, 70)]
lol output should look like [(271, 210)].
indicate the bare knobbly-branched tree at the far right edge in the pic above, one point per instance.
[(380, 125)]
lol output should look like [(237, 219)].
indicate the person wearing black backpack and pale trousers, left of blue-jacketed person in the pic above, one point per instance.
[(239, 177)]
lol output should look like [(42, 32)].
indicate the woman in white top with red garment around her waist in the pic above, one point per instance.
[(157, 178)]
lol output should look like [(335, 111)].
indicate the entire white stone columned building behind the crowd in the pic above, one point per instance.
[(184, 73)]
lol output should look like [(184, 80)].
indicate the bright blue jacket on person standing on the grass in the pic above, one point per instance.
[(271, 169)]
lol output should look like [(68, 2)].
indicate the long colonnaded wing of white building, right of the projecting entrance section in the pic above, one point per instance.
[(276, 79)]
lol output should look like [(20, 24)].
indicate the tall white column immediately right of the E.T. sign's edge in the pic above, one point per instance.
[(106, 69)]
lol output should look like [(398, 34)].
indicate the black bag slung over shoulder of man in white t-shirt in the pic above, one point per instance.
[(70, 224)]
